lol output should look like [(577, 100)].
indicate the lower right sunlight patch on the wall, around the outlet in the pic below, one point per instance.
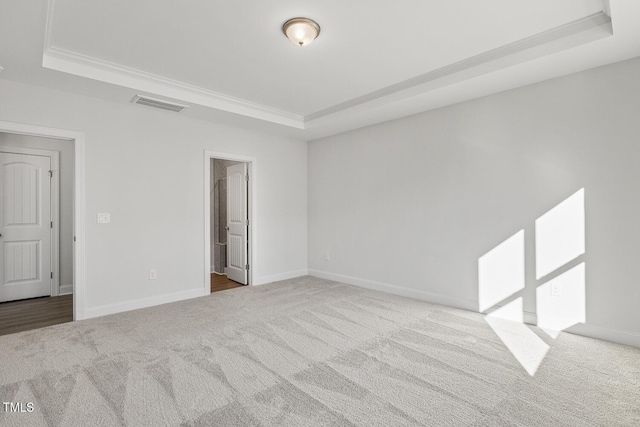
[(561, 301)]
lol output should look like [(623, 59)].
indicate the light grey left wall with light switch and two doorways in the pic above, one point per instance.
[(145, 167)]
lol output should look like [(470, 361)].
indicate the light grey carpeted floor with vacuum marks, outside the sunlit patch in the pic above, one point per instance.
[(308, 352)]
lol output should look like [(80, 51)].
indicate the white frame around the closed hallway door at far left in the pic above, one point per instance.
[(55, 207)]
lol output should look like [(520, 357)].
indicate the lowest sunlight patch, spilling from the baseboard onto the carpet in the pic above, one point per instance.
[(528, 348)]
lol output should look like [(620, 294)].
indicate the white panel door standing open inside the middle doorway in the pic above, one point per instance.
[(237, 223)]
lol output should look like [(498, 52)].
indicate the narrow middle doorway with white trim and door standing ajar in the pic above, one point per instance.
[(229, 210)]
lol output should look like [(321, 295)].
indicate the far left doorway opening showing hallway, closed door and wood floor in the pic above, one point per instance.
[(36, 261)]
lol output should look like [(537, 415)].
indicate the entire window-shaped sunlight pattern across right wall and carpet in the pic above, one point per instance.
[(559, 239)]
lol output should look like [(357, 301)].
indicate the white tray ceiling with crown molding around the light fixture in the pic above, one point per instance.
[(374, 61)]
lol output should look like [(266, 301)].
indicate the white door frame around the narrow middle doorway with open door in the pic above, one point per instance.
[(252, 210)]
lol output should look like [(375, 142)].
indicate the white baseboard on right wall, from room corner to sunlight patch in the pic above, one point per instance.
[(398, 290)]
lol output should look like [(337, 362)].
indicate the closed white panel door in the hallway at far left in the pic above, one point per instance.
[(25, 227)]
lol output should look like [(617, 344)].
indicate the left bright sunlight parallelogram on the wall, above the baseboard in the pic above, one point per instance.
[(501, 271)]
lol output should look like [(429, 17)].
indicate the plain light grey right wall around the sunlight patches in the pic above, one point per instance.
[(410, 205)]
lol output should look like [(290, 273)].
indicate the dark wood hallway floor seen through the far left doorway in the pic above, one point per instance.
[(24, 315)]
